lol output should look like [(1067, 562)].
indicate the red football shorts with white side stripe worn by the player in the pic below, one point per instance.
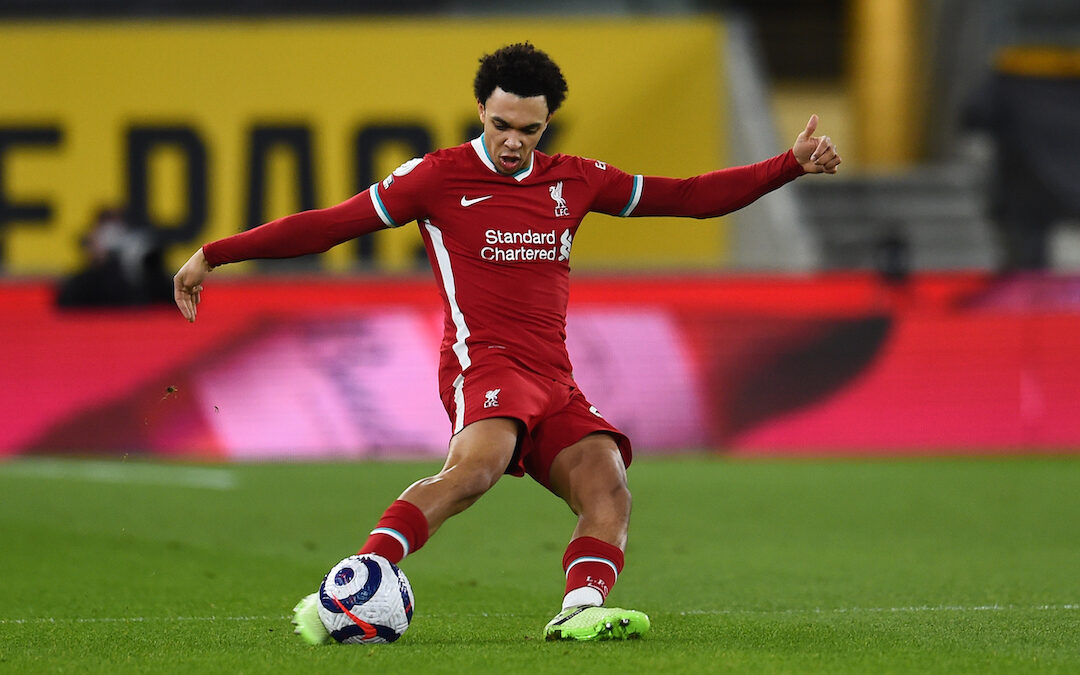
[(555, 415)]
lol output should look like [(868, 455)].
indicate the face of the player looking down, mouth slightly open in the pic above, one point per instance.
[(512, 128)]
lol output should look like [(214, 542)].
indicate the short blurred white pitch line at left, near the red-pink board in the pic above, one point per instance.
[(120, 472)]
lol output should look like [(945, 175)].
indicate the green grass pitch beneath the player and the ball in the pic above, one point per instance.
[(906, 566)]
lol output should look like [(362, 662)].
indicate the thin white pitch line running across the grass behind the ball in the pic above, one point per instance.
[(693, 613)]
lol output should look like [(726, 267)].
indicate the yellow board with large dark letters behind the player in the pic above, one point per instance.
[(205, 129)]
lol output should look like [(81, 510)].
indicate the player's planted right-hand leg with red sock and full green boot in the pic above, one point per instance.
[(591, 477)]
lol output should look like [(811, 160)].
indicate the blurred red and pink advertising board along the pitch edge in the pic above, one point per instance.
[(325, 369)]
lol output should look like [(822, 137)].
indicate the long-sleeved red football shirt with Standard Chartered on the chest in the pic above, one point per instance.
[(501, 246)]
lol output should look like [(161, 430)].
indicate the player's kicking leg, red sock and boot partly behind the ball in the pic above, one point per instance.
[(478, 457)]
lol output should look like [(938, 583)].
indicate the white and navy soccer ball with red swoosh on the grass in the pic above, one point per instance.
[(366, 600)]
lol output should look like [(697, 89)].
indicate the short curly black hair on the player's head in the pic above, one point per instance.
[(521, 70)]
